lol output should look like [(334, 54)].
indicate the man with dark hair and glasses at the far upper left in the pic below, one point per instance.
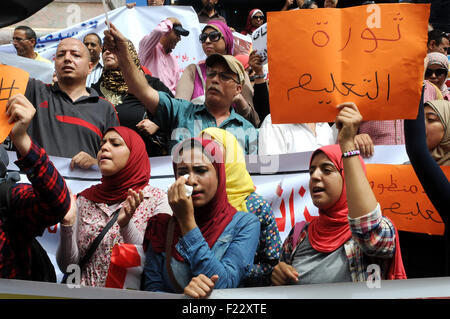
[(24, 41)]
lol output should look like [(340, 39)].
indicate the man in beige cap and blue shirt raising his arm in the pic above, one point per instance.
[(181, 119)]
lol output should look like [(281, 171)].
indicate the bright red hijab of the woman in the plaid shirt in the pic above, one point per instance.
[(331, 229)]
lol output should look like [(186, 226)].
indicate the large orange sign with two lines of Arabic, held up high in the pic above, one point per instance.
[(370, 55)]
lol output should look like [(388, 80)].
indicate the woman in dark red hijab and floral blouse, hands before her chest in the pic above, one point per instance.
[(125, 168)]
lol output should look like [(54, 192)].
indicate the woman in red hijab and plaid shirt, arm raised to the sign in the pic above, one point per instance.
[(350, 238)]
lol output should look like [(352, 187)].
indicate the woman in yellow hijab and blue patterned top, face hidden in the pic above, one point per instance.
[(241, 195)]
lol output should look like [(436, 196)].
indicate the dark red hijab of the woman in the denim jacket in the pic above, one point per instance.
[(211, 219)]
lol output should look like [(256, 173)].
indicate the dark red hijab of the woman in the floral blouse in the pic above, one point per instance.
[(135, 174)]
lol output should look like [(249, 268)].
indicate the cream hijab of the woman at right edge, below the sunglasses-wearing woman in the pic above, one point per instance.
[(442, 152)]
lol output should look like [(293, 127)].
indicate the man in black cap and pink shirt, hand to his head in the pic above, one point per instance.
[(155, 51)]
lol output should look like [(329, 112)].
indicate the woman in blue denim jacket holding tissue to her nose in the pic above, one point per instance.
[(208, 238)]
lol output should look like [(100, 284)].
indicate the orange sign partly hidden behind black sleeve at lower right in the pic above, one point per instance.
[(403, 200)]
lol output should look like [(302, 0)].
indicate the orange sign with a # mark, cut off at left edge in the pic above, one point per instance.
[(12, 81)]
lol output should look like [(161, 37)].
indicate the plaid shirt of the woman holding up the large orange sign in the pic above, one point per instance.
[(372, 242)]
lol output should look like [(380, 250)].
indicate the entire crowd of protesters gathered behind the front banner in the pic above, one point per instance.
[(119, 107)]
